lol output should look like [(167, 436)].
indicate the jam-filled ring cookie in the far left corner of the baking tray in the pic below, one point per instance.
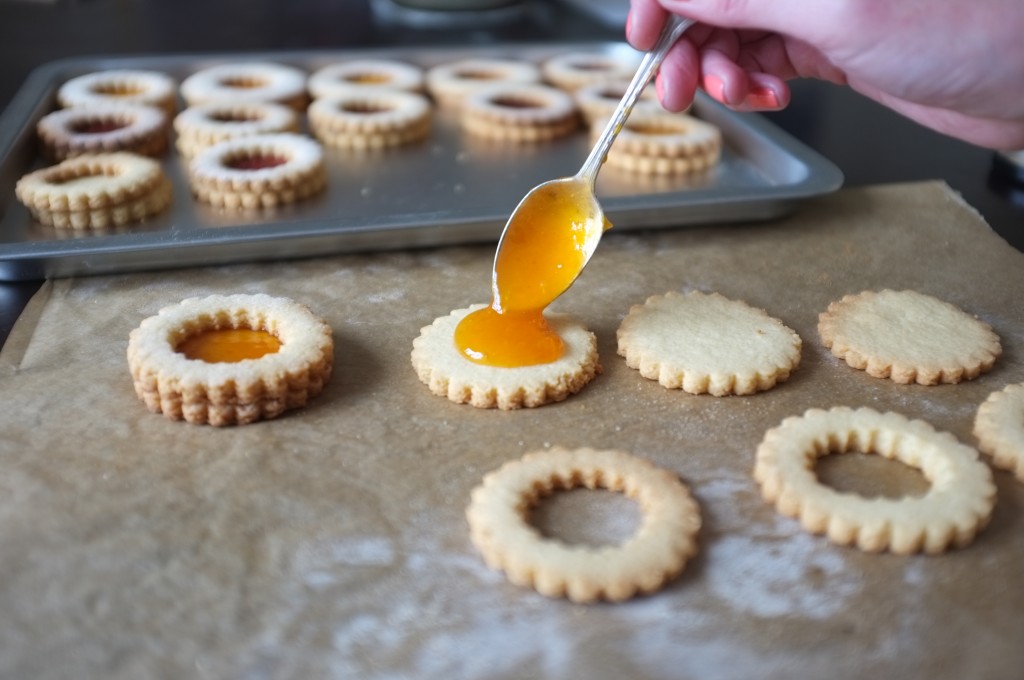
[(120, 87)]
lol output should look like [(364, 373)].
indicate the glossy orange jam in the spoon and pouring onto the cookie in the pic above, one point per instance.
[(542, 252)]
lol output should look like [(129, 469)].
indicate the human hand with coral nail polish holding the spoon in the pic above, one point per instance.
[(957, 66)]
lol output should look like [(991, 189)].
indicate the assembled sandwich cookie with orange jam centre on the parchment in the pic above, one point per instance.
[(290, 354)]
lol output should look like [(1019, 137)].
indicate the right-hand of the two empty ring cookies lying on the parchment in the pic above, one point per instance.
[(958, 504)]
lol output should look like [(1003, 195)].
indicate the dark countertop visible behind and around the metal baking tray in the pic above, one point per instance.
[(870, 144)]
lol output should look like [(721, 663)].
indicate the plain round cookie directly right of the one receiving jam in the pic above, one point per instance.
[(706, 344)]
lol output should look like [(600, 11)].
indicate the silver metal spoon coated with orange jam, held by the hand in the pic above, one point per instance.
[(517, 289)]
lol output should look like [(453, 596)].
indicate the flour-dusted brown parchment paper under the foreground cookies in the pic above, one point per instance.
[(332, 542)]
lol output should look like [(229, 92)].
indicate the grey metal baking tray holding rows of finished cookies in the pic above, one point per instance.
[(451, 189)]
